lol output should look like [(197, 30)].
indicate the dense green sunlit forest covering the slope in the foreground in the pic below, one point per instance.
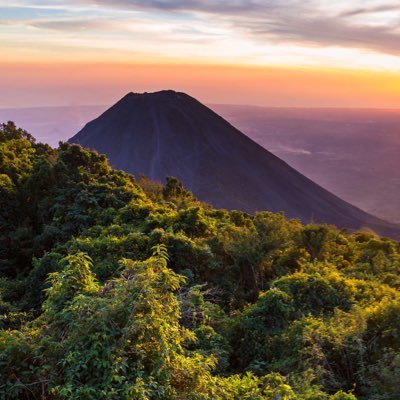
[(116, 288)]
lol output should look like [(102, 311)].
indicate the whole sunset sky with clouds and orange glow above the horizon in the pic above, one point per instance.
[(264, 52)]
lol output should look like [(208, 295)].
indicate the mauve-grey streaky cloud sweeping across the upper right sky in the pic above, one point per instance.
[(297, 22)]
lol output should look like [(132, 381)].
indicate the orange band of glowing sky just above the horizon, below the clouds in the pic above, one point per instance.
[(36, 84)]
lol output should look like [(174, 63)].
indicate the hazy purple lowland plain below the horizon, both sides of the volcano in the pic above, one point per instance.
[(354, 153)]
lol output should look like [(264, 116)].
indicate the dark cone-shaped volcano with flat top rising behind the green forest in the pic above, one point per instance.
[(172, 134)]
